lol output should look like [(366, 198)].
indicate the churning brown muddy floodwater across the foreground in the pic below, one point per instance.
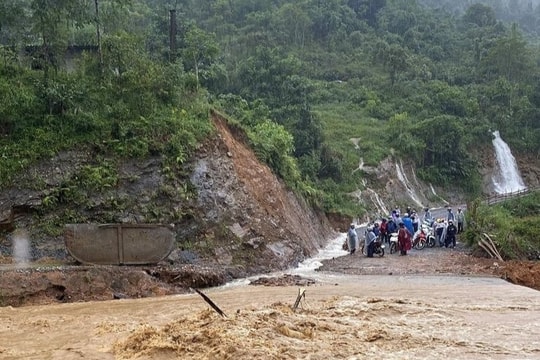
[(341, 317)]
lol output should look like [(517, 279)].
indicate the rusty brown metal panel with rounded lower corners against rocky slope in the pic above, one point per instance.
[(119, 244)]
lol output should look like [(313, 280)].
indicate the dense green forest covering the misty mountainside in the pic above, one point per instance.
[(426, 81)]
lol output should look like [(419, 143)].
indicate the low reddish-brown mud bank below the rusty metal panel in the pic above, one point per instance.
[(38, 285)]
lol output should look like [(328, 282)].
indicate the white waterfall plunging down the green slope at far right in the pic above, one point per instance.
[(509, 178)]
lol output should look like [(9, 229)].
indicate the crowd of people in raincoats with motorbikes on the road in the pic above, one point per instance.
[(406, 226)]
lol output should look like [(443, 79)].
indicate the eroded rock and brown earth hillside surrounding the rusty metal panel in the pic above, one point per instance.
[(242, 221)]
